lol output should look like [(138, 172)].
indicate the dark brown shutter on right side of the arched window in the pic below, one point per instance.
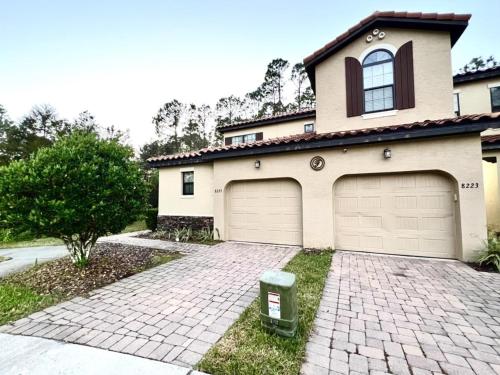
[(403, 77)]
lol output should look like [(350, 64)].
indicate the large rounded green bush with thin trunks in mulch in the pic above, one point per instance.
[(79, 189)]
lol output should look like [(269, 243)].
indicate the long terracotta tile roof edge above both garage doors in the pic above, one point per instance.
[(304, 138)]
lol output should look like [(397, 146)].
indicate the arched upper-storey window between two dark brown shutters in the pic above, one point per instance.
[(378, 81)]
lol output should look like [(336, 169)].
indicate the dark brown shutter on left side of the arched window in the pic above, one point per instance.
[(354, 87)]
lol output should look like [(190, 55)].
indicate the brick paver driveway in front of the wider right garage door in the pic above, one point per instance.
[(384, 314)]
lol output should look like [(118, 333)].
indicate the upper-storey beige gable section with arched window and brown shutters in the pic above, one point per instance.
[(392, 67)]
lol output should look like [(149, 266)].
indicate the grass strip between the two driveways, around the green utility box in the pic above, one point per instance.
[(247, 349)]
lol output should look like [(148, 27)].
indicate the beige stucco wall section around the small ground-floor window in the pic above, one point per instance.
[(172, 202)]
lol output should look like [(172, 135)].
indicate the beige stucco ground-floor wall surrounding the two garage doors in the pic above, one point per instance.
[(317, 187)]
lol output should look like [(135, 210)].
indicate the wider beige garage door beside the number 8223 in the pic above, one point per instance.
[(407, 214)]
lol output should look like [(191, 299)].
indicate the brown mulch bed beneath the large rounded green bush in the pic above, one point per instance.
[(109, 263)]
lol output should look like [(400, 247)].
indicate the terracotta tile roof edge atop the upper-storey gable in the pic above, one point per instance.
[(388, 14)]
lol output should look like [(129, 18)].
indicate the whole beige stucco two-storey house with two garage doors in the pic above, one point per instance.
[(382, 164)]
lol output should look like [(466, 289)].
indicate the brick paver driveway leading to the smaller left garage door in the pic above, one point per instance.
[(172, 313)]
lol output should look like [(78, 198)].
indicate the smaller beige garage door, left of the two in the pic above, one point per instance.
[(268, 211)]
